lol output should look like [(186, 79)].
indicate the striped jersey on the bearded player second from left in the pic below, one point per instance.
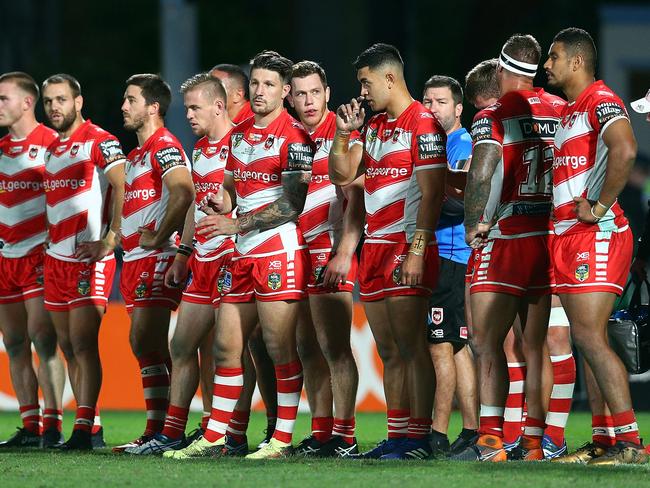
[(76, 188)]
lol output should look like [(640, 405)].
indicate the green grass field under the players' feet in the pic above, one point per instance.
[(36, 468)]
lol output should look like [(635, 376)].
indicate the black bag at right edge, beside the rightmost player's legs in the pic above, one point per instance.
[(629, 333)]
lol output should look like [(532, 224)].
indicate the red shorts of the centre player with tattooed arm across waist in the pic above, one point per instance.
[(267, 279)]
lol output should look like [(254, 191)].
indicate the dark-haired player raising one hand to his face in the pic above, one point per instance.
[(404, 161)]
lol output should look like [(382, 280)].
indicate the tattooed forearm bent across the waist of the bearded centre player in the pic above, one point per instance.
[(284, 209)]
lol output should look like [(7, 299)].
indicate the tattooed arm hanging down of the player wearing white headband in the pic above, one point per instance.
[(485, 158)]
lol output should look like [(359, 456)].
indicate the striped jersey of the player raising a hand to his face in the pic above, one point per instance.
[(394, 151)]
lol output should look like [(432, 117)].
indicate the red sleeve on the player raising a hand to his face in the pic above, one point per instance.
[(428, 147)]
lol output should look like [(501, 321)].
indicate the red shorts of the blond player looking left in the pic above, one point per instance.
[(202, 288)]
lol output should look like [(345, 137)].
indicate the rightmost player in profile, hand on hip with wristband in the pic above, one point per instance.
[(592, 248)]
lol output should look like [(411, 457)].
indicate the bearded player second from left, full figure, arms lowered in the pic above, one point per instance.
[(84, 183)]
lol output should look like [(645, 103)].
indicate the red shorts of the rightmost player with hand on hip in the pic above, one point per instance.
[(590, 262)]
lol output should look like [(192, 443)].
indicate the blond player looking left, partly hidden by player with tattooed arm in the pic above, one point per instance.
[(205, 105)]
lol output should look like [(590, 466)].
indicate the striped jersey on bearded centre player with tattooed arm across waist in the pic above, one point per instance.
[(258, 160)]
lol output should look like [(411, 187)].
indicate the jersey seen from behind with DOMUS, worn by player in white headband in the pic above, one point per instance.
[(523, 123)]
